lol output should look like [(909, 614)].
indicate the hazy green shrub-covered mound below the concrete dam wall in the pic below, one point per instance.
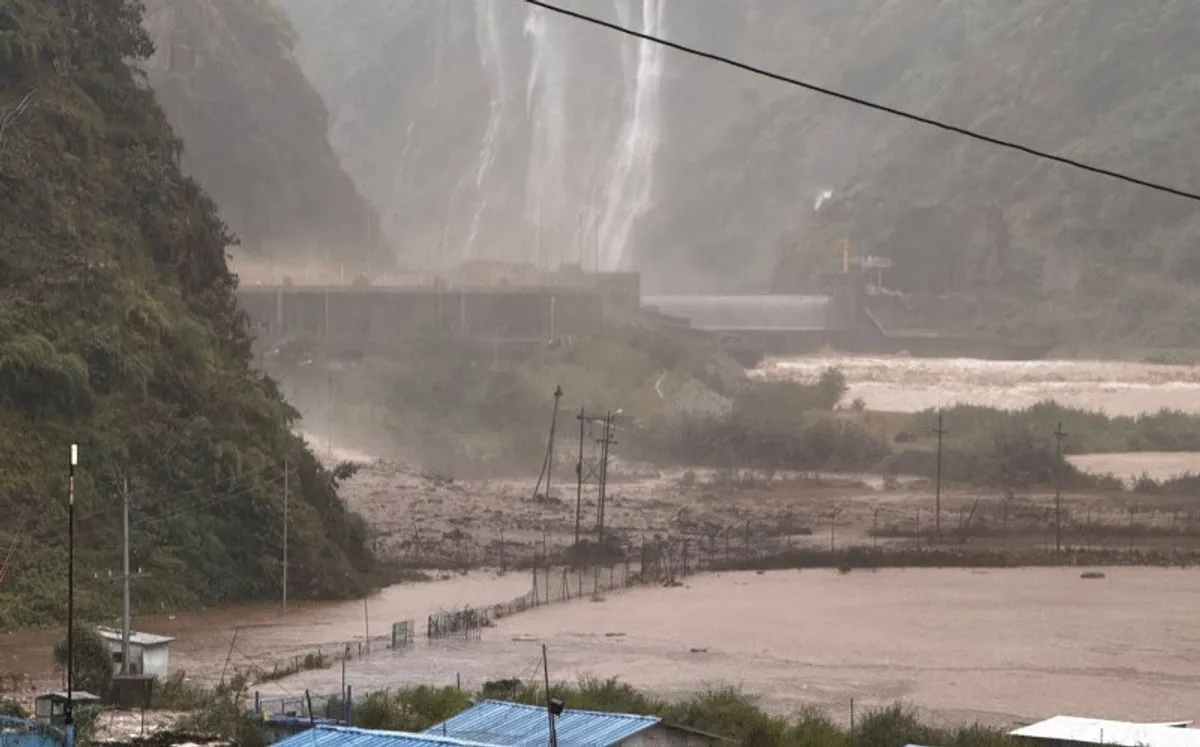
[(459, 409)]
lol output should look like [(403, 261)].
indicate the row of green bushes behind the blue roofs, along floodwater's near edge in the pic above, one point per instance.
[(722, 712)]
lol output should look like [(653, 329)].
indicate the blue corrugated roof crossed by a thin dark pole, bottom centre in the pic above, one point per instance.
[(511, 725)]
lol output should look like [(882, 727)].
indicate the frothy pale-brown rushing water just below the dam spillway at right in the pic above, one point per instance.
[(911, 385)]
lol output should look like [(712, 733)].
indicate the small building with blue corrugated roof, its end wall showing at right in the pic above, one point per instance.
[(512, 725)]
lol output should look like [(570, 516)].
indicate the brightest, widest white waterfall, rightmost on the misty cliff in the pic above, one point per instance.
[(629, 189)]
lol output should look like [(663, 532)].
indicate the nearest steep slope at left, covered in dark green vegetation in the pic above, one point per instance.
[(119, 332)]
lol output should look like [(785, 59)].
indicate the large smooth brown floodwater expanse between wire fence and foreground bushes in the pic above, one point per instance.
[(995, 647)]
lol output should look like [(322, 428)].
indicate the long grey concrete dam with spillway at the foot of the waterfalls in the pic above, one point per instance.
[(388, 319)]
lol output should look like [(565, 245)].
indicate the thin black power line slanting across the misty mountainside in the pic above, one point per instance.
[(869, 105)]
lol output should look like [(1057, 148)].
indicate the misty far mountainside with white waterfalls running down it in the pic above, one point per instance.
[(476, 122)]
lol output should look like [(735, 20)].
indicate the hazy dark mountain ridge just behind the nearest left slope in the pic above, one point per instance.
[(255, 130)]
